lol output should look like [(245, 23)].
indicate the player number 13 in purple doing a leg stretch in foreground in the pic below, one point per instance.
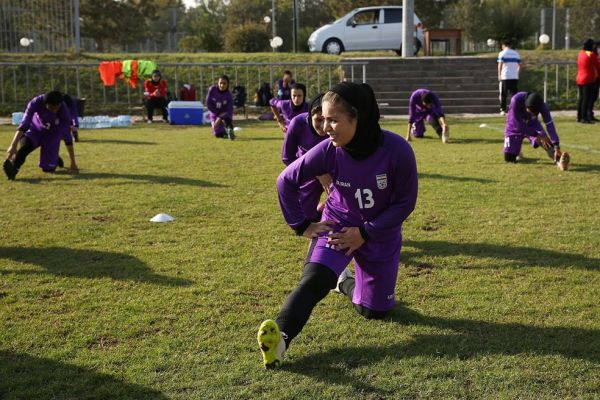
[(374, 190)]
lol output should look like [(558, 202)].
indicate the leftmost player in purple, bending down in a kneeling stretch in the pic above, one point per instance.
[(45, 122)]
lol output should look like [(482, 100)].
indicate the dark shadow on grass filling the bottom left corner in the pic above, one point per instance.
[(29, 377)]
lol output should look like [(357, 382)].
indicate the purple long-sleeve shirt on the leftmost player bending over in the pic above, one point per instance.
[(38, 120)]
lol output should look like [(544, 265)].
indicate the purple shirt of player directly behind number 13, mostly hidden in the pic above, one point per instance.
[(299, 139)]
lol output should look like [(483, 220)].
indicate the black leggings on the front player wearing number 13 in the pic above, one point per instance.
[(316, 282)]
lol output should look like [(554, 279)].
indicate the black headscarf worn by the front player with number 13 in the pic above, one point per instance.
[(368, 134)]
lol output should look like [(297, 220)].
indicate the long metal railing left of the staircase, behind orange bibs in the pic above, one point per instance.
[(19, 82)]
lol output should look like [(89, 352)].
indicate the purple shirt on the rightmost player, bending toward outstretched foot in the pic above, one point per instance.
[(520, 123)]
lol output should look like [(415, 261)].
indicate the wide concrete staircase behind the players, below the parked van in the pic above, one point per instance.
[(464, 84)]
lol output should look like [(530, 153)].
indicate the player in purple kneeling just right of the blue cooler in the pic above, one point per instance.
[(219, 102)]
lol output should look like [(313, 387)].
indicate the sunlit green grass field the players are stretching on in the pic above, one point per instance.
[(498, 288)]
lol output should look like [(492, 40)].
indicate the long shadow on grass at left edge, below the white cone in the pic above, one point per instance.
[(86, 264)]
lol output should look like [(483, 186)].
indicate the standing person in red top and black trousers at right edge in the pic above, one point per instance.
[(588, 68)]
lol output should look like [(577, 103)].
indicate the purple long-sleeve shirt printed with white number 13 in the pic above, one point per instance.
[(378, 193)]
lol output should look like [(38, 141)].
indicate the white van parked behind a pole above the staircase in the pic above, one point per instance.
[(366, 28)]
